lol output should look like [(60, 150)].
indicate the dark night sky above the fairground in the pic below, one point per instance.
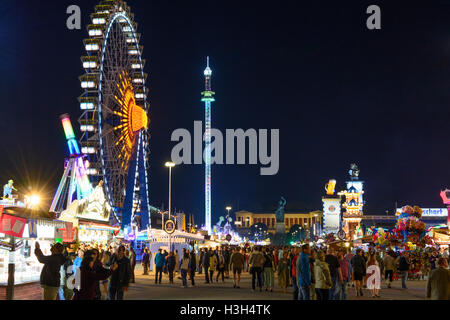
[(338, 92)]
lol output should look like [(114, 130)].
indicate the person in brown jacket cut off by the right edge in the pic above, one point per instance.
[(438, 284)]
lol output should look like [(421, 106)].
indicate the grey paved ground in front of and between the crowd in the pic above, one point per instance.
[(146, 289)]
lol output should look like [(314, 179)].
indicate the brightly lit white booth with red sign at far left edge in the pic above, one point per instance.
[(20, 270)]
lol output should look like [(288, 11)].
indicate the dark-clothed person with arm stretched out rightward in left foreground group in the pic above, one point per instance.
[(90, 278)]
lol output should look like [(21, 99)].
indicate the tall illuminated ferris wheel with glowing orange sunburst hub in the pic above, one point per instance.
[(114, 121)]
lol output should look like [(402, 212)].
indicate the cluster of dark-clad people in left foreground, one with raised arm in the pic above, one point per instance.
[(90, 273)]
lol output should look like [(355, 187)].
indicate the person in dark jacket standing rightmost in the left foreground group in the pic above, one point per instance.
[(121, 276)]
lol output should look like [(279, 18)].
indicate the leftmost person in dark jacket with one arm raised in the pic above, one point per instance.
[(50, 275)]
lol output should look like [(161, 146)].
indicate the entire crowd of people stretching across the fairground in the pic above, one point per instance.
[(313, 273)]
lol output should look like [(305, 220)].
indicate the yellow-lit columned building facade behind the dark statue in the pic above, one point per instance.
[(245, 219)]
